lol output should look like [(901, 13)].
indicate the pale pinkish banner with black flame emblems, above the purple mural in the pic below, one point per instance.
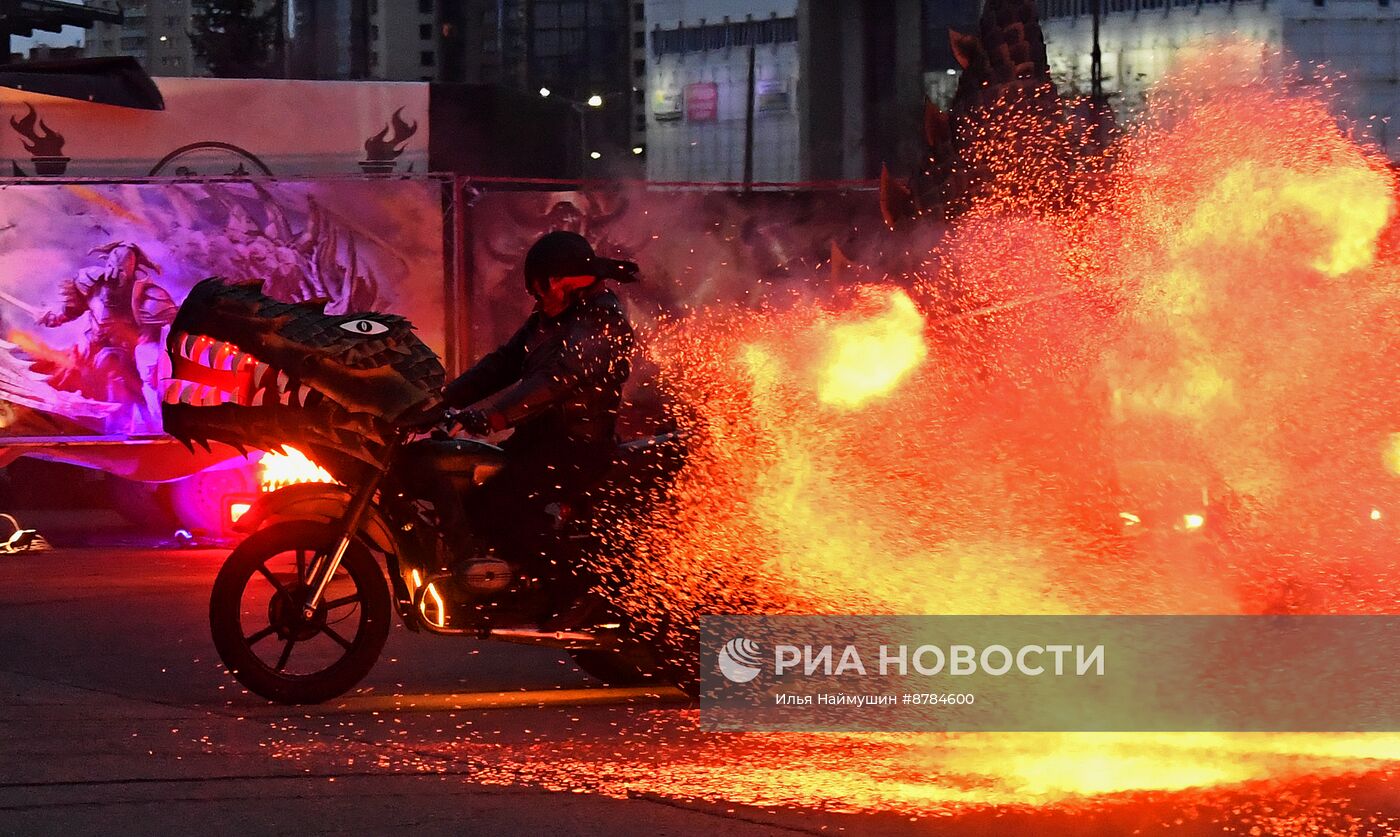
[(222, 128)]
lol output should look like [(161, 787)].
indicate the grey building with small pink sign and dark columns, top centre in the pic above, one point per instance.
[(836, 90)]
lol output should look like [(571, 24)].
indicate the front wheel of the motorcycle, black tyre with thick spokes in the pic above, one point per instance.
[(264, 638)]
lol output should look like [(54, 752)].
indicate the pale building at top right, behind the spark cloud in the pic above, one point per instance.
[(1142, 40)]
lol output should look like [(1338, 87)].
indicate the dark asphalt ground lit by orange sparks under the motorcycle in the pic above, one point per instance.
[(117, 719)]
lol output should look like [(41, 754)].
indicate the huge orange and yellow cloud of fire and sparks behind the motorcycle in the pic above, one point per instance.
[(1224, 318)]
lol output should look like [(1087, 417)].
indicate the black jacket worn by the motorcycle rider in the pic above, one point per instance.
[(558, 381)]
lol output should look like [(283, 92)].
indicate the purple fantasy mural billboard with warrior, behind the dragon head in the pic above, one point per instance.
[(92, 276)]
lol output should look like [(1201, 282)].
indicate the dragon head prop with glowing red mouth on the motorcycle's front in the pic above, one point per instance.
[(255, 373)]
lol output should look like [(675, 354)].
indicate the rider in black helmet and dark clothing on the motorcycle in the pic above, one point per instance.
[(556, 383)]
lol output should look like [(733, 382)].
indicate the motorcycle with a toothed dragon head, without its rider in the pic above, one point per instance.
[(302, 608)]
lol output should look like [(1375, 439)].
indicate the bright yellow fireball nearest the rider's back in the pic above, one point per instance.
[(870, 358)]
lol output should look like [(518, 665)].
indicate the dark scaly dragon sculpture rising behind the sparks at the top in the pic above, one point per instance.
[(1004, 101)]
